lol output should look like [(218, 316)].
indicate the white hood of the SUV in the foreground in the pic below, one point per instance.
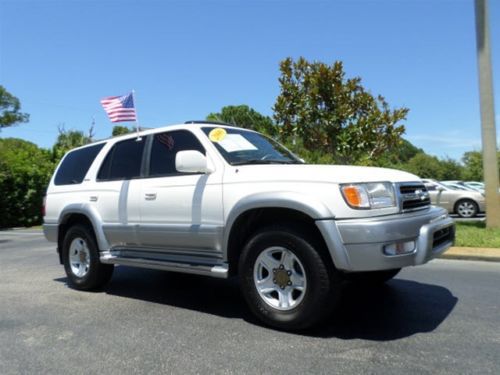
[(320, 173)]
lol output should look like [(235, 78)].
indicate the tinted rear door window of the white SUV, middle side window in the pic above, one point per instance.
[(123, 161)]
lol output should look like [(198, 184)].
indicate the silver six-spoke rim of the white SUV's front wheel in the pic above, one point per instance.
[(280, 278)]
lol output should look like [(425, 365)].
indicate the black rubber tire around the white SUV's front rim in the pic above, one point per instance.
[(323, 281)]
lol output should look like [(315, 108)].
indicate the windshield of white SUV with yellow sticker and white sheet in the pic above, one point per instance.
[(241, 147)]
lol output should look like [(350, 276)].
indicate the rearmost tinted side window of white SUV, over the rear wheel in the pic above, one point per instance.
[(76, 165)]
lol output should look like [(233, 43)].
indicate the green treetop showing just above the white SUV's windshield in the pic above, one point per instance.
[(245, 117)]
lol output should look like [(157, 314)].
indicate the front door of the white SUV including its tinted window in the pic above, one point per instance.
[(180, 213)]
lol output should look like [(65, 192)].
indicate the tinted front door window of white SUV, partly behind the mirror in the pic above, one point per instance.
[(165, 147)]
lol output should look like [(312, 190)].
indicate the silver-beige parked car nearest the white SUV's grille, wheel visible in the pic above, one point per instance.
[(464, 203)]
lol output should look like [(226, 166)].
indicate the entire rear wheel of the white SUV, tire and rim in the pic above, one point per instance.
[(81, 260)]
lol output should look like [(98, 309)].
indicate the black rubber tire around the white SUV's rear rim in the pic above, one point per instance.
[(96, 274)]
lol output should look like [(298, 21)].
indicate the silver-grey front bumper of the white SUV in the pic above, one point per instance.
[(358, 244)]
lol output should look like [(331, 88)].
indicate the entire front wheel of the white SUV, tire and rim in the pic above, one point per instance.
[(287, 280)]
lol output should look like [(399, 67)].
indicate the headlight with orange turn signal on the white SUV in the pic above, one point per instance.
[(369, 195)]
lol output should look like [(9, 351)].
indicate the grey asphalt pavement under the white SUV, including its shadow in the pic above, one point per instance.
[(440, 318)]
